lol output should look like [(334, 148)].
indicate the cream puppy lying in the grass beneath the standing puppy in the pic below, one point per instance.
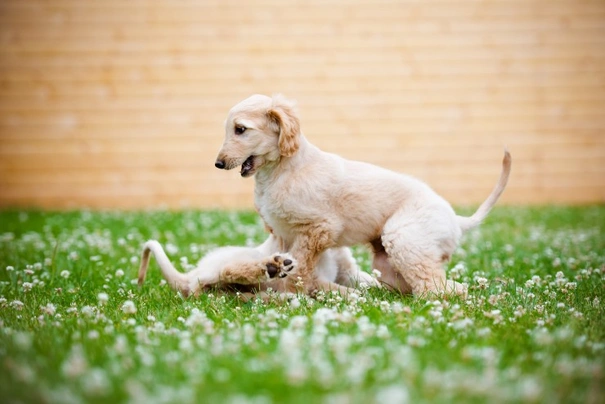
[(252, 269)]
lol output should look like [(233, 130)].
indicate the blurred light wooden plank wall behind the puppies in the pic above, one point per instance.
[(120, 103)]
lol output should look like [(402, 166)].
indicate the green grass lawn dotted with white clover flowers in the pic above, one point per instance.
[(532, 329)]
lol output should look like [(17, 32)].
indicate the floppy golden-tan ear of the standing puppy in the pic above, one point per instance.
[(283, 114)]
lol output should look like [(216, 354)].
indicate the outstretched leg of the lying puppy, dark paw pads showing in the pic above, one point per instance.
[(255, 272)]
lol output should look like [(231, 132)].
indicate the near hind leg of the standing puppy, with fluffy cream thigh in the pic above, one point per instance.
[(418, 246)]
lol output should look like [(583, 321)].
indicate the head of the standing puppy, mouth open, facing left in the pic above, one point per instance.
[(258, 131)]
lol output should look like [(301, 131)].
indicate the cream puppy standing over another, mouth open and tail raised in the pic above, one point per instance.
[(315, 200)]
